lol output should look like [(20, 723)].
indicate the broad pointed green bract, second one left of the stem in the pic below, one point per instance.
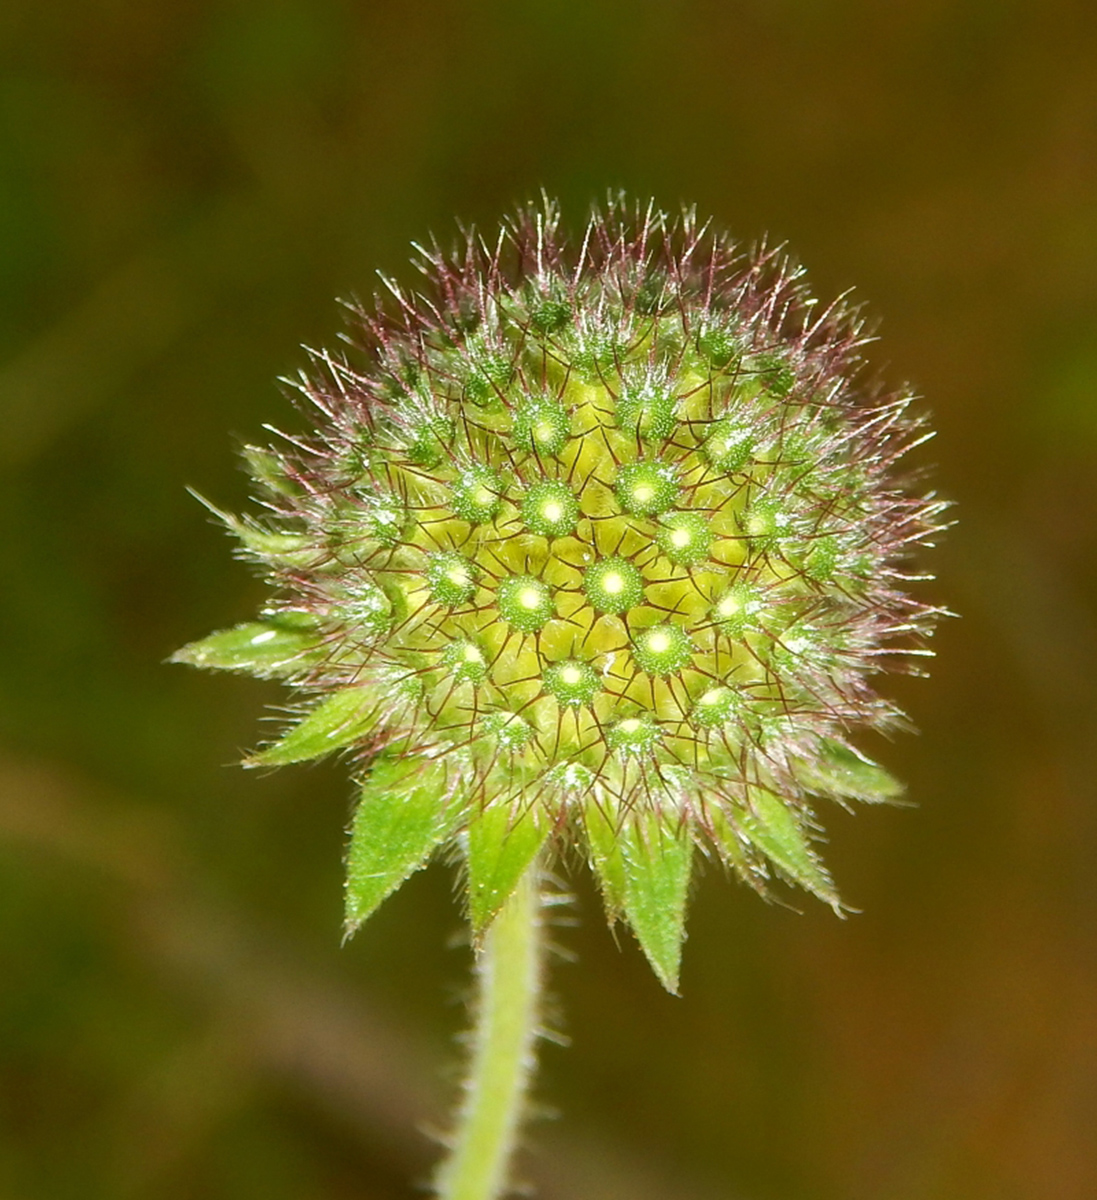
[(407, 809)]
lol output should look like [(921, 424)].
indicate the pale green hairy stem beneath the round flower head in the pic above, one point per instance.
[(509, 974)]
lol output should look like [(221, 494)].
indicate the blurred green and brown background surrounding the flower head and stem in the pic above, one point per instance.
[(185, 187)]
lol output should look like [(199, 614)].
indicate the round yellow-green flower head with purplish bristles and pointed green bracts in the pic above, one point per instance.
[(595, 542)]
